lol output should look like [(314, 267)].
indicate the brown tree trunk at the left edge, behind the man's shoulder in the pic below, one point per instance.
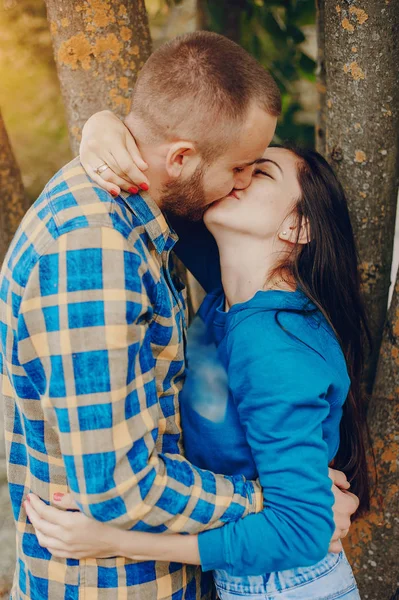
[(13, 200)]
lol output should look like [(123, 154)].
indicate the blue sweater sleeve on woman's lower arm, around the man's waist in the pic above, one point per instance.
[(280, 387)]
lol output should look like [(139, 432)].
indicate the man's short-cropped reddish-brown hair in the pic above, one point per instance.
[(199, 87)]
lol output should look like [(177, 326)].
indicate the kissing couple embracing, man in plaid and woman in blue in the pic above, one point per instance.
[(125, 426)]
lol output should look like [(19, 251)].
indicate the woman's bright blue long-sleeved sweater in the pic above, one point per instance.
[(263, 398)]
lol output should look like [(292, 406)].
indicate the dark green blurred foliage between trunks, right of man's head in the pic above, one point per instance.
[(271, 30)]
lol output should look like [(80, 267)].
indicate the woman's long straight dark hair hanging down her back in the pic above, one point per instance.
[(326, 269)]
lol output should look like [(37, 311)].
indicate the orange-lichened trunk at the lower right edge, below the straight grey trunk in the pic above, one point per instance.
[(372, 543)]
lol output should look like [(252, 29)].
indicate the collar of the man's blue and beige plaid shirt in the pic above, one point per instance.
[(154, 222)]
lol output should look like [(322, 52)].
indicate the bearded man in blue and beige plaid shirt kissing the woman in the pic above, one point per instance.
[(93, 328)]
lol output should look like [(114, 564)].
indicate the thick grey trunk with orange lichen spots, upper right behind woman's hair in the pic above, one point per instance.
[(361, 55)]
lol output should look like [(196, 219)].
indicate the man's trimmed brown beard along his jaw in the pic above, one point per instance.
[(185, 199)]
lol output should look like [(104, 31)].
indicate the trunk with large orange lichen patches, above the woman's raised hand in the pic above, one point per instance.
[(99, 48)]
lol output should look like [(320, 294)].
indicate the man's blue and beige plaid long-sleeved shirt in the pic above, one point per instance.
[(92, 361)]
